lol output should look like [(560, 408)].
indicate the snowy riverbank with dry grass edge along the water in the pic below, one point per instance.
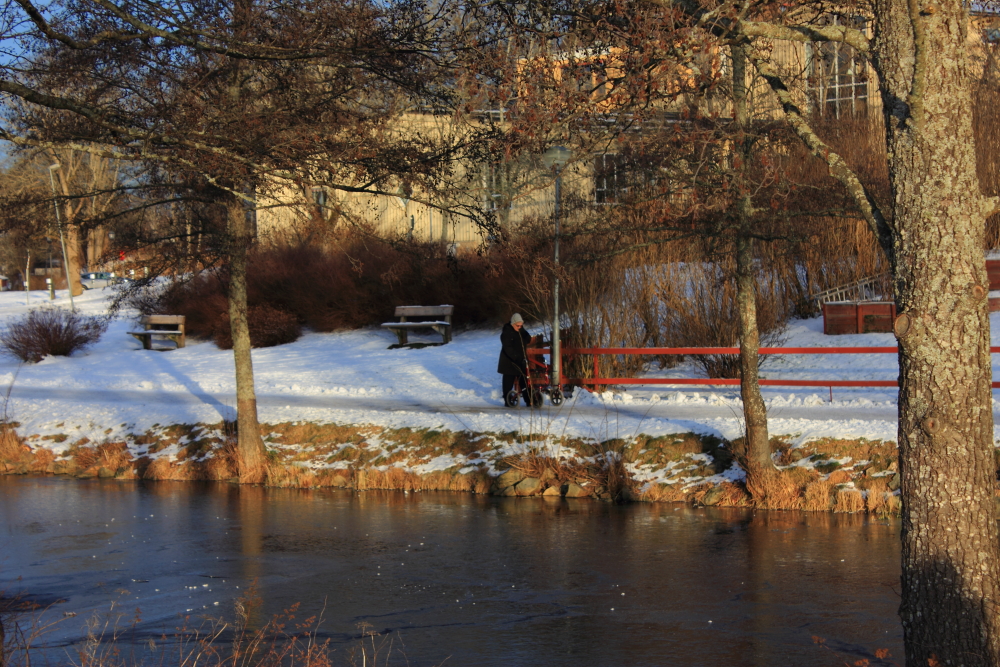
[(342, 409)]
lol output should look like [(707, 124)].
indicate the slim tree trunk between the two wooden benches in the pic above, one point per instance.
[(251, 455)]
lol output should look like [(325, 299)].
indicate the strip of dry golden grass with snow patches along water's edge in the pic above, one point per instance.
[(844, 476)]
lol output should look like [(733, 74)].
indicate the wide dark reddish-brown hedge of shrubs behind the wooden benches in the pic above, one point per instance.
[(352, 282)]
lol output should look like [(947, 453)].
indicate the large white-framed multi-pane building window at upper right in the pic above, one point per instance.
[(837, 74)]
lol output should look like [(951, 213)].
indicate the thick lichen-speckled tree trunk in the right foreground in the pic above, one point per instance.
[(950, 553)]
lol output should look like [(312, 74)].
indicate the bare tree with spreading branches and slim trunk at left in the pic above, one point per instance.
[(230, 103)]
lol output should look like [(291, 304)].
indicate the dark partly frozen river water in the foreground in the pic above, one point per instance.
[(460, 579)]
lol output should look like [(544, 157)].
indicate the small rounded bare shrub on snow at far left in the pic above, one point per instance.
[(51, 332)]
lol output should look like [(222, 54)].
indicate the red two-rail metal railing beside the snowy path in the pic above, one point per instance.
[(598, 351)]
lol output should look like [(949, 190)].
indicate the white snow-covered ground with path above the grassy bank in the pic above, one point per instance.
[(115, 387)]
